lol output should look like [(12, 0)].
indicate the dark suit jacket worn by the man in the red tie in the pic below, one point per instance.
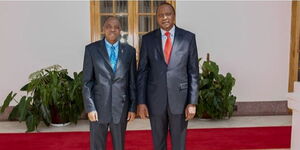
[(176, 84)]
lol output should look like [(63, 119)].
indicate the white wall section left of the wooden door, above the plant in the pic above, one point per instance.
[(34, 35)]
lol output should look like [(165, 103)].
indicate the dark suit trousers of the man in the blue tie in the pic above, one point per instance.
[(99, 131)]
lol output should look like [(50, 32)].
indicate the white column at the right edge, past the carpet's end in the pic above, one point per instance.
[(294, 104)]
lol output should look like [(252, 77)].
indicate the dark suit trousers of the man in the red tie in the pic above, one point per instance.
[(161, 124)]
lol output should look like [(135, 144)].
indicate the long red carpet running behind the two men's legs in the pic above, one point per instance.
[(197, 139)]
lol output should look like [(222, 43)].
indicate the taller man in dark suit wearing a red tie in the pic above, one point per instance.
[(167, 80)]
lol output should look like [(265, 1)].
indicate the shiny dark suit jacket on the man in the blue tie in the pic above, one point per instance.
[(105, 91)]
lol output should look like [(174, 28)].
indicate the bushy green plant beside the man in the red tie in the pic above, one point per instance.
[(215, 92)]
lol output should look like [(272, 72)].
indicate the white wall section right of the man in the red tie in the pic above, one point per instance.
[(249, 39)]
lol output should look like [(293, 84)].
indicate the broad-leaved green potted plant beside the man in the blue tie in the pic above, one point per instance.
[(52, 97)]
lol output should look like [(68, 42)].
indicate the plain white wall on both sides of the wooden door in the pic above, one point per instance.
[(249, 39)]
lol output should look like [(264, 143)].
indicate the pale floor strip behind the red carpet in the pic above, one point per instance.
[(139, 124)]
